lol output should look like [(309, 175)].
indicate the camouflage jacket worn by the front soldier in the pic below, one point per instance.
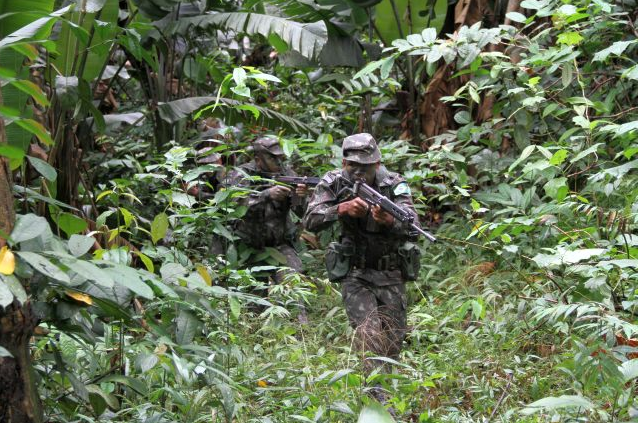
[(371, 240)]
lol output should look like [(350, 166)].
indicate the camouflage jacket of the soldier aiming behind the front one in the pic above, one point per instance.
[(267, 223)]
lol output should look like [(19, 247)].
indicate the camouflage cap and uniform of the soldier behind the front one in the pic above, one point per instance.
[(267, 223)]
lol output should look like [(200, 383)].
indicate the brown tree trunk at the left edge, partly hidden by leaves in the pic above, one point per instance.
[(19, 401)]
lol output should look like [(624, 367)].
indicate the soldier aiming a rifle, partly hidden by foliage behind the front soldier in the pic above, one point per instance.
[(267, 222)]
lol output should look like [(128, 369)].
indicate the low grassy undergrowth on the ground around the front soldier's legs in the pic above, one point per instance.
[(470, 355)]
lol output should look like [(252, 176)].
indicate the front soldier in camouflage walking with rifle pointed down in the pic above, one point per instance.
[(367, 261)]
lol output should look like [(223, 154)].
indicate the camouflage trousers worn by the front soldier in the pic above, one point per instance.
[(375, 303)]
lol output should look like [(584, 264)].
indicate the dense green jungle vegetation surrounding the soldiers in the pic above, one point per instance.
[(514, 122)]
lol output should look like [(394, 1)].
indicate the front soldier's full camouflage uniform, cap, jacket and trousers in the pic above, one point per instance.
[(373, 291)]
